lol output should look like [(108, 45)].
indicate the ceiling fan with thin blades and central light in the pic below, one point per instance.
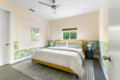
[(54, 6)]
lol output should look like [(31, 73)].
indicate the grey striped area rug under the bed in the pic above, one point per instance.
[(41, 72)]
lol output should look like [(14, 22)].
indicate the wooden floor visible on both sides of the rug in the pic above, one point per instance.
[(8, 73)]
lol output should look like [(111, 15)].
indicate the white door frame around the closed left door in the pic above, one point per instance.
[(11, 34)]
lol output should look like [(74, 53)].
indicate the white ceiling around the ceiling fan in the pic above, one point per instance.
[(75, 7)]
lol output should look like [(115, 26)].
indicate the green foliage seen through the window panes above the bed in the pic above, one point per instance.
[(69, 35)]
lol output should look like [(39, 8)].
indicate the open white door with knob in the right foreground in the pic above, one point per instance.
[(114, 40)]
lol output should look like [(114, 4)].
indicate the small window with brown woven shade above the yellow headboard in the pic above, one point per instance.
[(70, 34)]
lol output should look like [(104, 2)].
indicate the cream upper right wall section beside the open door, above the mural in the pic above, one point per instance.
[(103, 21)]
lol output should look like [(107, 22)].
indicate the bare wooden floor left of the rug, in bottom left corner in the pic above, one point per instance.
[(8, 73)]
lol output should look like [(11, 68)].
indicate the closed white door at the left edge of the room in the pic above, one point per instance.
[(4, 37)]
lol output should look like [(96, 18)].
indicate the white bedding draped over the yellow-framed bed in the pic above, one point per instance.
[(66, 57)]
